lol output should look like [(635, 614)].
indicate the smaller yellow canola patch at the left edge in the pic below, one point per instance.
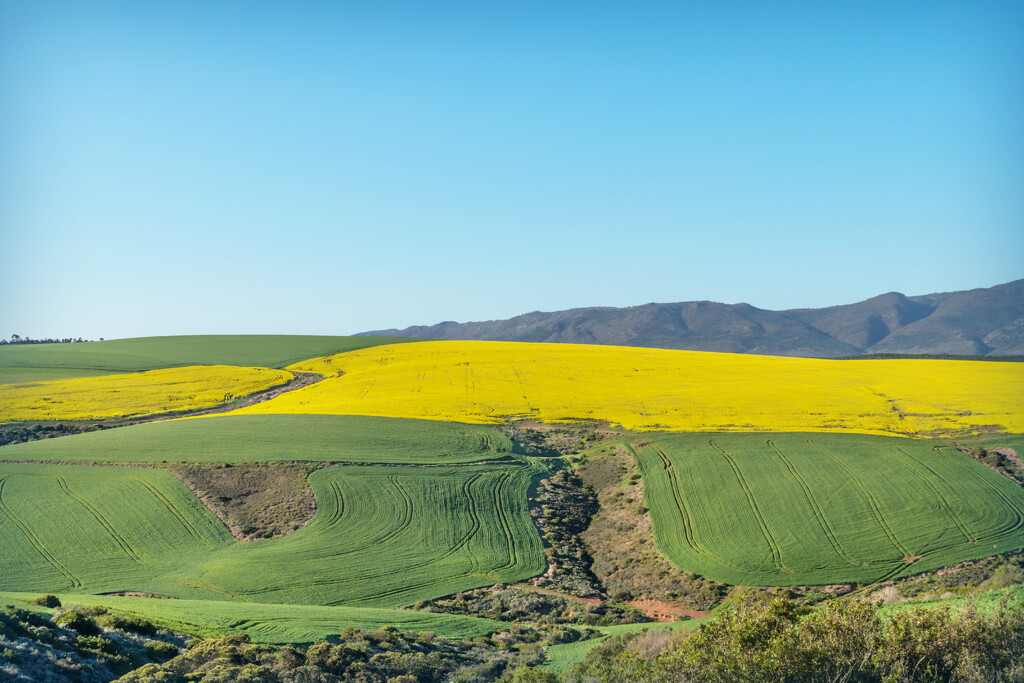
[(137, 395)]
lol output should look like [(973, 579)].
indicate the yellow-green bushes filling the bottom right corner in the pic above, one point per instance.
[(773, 641)]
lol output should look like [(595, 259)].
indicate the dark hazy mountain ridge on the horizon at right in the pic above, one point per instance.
[(980, 322)]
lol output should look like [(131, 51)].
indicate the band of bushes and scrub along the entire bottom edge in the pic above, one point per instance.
[(760, 638)]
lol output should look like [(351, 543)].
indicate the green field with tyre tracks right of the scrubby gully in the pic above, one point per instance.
[(815, 509)]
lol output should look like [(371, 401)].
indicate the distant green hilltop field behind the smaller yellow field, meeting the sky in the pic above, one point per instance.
[(29, 363)]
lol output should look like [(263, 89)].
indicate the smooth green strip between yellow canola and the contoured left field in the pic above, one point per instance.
[(276, 438)]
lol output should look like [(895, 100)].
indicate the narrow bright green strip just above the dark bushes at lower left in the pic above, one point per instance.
[(271, 623)]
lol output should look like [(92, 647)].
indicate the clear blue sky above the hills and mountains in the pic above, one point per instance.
[(334, 167)]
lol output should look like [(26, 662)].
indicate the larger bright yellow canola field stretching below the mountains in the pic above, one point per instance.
[(642, 389)]
